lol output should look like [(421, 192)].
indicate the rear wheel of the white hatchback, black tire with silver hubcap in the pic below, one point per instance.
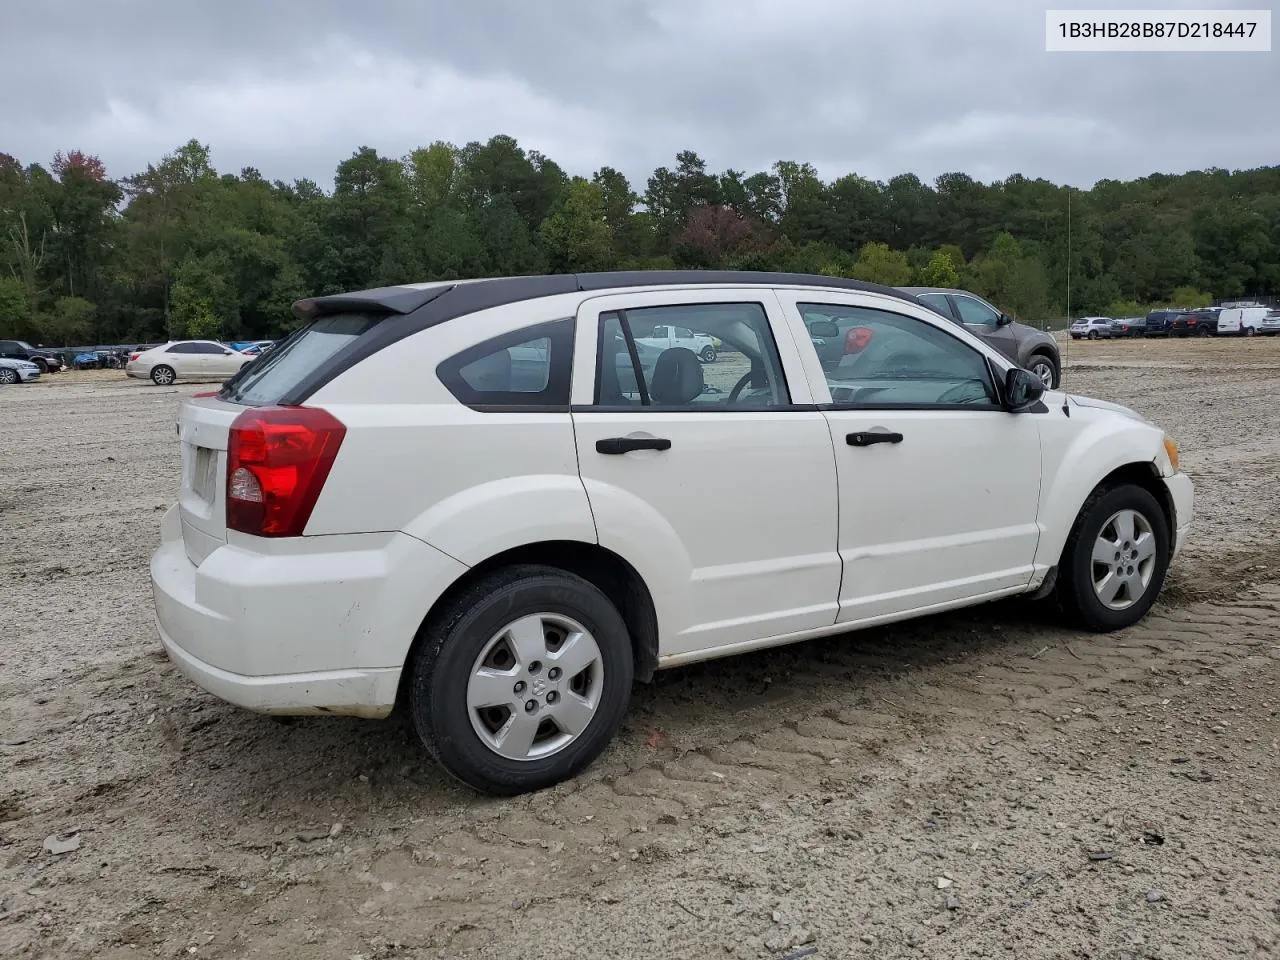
[(472, 636)]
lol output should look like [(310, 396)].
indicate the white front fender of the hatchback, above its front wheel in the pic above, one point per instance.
[(1075, 461)]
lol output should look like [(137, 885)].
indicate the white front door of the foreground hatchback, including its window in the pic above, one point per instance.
[(939, 484)]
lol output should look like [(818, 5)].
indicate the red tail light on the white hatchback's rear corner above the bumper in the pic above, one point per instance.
[(277, 463)]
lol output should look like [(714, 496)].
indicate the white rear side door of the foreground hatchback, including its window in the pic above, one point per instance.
[(716, 482)]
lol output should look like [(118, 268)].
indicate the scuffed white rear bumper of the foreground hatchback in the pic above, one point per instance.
[(324, 625)]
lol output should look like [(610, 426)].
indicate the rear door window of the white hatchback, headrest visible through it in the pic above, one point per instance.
[(637, 368)]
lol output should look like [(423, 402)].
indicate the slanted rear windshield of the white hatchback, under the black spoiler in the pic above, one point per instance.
[(275, 374)]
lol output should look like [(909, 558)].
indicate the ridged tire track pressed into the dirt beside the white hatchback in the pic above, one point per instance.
[(829, 743)]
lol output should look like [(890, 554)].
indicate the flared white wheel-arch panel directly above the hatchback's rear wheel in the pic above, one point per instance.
[(483, 522)]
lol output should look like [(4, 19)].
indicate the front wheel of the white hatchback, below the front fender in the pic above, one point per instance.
[(1084, 582)]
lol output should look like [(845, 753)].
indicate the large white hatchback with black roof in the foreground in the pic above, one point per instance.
[(479, 502)]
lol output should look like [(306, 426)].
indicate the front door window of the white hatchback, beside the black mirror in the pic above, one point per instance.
[(890, 360)]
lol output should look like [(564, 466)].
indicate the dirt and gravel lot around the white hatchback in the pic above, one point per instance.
[(977, 785)]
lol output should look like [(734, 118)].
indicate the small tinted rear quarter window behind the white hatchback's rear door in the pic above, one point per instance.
[(528, 368)]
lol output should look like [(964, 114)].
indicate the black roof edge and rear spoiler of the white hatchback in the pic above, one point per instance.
[(412, 310)]
